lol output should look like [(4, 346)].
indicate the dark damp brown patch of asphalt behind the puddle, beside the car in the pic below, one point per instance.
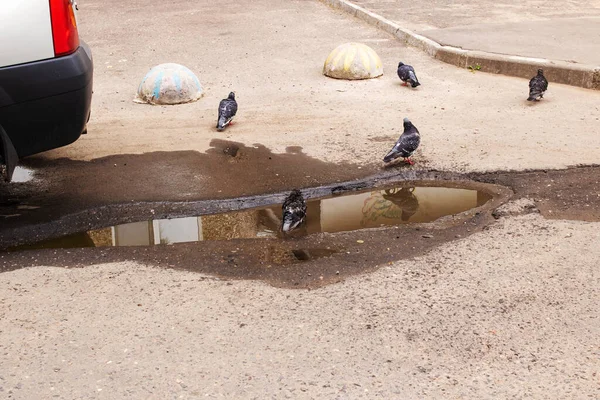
[(226, 170)]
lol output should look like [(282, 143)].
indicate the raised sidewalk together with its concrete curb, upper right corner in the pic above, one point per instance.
[(502, 37)]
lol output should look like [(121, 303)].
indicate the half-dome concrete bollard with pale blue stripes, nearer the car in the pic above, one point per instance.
[(169, 84)]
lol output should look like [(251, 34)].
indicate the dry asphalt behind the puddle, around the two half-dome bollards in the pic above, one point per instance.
[(469, 121)]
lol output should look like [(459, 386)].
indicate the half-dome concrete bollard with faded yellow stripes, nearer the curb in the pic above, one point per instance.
[(353, 61)]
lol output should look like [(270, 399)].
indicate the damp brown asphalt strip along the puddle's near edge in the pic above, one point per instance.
[(304, 263)]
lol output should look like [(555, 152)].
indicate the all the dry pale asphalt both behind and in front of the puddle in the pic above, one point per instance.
[(510, 312)]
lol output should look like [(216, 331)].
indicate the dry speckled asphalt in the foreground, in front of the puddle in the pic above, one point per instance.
[(507, 313)]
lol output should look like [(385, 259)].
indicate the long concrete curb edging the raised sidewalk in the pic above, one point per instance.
[(582, 75)]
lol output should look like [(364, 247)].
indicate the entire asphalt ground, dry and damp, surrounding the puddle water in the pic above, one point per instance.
[(502, 304)]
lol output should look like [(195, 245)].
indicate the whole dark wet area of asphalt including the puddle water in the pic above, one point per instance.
[(220, 228)]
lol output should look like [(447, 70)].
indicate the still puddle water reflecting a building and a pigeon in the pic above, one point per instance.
[(355, 211)]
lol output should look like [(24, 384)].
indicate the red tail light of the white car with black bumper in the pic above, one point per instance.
[(64, 27)]
